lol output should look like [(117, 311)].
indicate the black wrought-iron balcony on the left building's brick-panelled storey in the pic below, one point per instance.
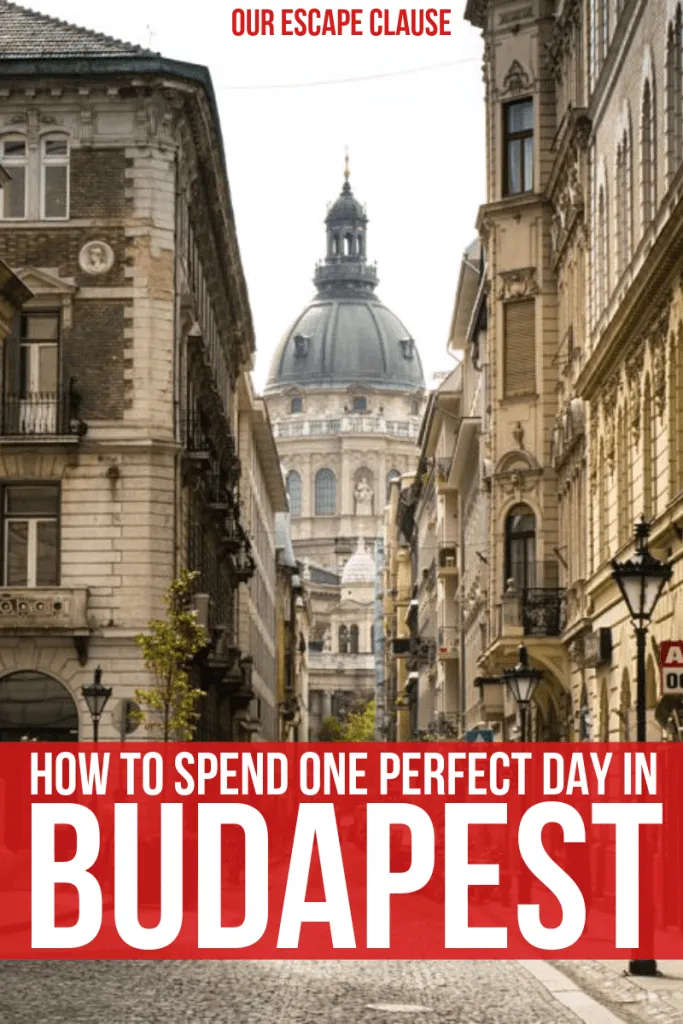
[(42, 416)]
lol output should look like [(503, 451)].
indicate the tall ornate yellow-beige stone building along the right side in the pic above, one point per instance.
[(581, 231)]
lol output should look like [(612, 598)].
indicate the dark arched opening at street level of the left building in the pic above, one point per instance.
[(36, 707)]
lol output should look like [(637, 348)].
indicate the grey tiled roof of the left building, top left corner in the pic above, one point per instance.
[(27, 34)]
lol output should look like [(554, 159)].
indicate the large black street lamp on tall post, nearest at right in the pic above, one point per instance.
[(642, 581)]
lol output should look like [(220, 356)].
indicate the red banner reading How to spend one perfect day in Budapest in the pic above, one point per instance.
[(341, 850)]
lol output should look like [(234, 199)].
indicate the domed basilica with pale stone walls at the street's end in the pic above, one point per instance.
[(346, 395)]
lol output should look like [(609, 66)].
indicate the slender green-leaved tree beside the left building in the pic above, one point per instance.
[(170, 706)]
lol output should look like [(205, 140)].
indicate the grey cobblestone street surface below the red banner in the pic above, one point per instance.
[(276, 993)]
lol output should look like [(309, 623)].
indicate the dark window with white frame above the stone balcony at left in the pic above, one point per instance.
[(30, 536)]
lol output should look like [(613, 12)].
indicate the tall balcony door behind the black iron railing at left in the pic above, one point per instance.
[(32, 374)]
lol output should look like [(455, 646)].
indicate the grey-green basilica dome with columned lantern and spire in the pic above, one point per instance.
[(347, 336)]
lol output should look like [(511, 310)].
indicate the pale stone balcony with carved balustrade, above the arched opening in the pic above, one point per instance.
[(34, 610)]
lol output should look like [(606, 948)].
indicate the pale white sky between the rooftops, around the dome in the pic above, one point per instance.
[(416, 144)]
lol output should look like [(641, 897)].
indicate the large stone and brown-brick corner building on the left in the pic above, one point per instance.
[(119, 459)]
